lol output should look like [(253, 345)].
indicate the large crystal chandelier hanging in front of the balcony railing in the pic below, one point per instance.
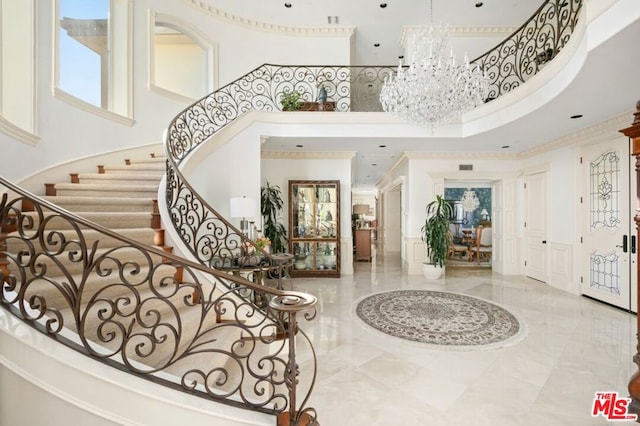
[(432, 90)]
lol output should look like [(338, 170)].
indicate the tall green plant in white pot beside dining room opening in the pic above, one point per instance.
[(435, 233)]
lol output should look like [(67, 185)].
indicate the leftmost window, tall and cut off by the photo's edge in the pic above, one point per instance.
[(17, 68)]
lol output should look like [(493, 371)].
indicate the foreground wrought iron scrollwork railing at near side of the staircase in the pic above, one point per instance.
[(148, 312)]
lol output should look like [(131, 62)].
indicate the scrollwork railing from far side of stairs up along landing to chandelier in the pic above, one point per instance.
[(208, 235)]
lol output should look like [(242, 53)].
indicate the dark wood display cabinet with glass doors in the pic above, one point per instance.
[(314, 227)]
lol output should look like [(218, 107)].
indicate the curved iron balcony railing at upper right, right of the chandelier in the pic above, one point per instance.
[(530, 47)]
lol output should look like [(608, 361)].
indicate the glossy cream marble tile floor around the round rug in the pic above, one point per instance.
[(574, 348)]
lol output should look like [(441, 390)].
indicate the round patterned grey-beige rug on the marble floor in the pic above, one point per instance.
[(445, 320)]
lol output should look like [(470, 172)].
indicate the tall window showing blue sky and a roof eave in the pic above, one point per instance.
[(93, 48)]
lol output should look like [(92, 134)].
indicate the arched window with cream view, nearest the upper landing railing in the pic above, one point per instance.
[(181, 63)]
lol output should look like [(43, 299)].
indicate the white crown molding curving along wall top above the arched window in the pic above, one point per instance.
[(311, 31)]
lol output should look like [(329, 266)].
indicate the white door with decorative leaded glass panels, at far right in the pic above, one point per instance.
[(608, 240)]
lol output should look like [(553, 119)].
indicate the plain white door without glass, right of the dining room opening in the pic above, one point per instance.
[(535, 227)]
